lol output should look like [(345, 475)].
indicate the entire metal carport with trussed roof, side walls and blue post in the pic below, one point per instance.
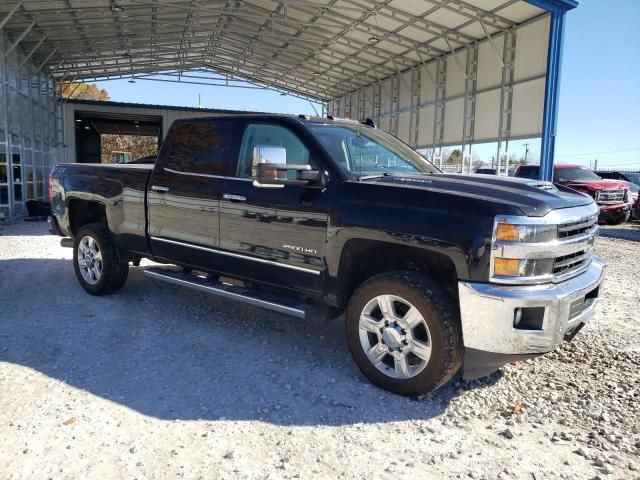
[(433, 72)]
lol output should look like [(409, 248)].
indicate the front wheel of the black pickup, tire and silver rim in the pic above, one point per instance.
[(404, 333)]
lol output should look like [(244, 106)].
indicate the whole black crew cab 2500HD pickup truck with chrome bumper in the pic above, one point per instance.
[(433, 271)]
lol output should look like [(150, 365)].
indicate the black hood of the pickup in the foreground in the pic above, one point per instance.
[(533, 197)]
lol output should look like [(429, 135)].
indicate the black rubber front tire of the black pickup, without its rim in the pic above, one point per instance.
[(441, 316)]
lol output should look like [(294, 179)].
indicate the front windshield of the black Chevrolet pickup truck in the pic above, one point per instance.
[(362, 151)]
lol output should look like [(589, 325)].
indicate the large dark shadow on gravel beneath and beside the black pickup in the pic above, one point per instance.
[(173, 353)]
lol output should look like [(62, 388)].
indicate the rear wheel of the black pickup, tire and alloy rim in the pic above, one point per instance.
[(100, 268)]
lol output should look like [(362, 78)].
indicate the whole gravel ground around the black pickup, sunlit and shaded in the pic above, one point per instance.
[(159, 382)]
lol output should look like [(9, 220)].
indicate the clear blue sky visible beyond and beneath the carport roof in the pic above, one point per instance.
[(599, 109)]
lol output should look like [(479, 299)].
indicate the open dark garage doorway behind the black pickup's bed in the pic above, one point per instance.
[(104, 137)]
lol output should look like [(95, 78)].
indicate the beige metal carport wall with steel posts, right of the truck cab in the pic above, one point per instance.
[(491, 91)]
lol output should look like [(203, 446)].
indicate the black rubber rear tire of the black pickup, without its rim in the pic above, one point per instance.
[(115, 266)]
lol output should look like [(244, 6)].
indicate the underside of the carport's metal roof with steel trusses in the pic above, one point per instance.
[(321, 49)]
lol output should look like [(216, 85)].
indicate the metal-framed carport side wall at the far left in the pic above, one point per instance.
[(28, 146)]
